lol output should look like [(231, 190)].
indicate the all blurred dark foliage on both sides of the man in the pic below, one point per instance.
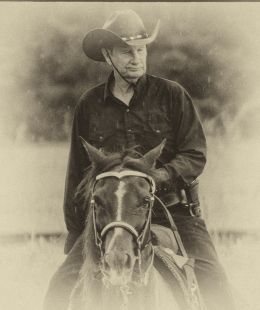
[(204, 60)]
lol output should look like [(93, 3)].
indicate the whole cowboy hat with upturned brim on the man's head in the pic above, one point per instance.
[(121, 27)]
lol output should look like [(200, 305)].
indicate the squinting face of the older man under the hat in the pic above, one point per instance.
[(130, 61)]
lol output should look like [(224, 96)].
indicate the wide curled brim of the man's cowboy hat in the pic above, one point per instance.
[(100, 38)]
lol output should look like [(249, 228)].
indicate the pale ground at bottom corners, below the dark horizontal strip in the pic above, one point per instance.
[(26, 268)]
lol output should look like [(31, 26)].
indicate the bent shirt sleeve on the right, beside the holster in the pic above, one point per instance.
[(190, 141)]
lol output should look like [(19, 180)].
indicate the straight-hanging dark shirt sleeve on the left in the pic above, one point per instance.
[(77, 163)]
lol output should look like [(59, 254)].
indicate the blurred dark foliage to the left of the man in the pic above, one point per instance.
[(60, 72)]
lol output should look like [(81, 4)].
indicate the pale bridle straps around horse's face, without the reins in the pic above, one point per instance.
[(139, 238)]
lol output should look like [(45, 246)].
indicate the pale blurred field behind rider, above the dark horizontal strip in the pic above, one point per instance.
[(33, 176)]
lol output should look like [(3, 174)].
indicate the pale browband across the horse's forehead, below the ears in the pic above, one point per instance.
[(127, 173)]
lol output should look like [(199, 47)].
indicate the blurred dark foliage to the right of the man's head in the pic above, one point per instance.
[(207, 65)]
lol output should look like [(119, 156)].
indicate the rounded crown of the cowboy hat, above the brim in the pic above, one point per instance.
[(125, 24)]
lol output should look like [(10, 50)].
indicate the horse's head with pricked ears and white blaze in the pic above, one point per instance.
[(121, 201)]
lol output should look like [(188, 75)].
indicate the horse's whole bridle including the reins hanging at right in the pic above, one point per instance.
[(140, 237)]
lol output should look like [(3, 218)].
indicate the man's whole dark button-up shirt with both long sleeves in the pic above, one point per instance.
[(158, 109)]
